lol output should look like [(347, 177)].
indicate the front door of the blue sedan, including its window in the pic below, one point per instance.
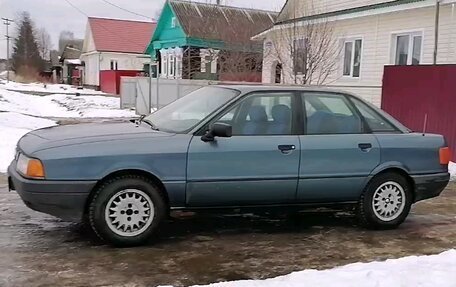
[(258, 165)]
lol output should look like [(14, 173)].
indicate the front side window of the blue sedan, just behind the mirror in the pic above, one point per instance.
[(261, 114)]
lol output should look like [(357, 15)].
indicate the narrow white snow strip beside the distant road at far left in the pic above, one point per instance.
[(48, 88)]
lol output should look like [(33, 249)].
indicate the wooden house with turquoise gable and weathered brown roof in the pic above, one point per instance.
[(207, 41)]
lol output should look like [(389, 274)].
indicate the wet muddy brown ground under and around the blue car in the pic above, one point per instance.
[(40, 250)]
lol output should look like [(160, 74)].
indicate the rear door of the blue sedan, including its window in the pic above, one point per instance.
[(338, 152)]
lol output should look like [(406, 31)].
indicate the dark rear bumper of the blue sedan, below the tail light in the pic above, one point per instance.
[(430, 186)]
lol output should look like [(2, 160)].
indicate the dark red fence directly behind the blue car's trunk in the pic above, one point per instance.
[(412, 92)]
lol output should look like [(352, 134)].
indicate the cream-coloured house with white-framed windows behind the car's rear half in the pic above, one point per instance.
[(360, 38)]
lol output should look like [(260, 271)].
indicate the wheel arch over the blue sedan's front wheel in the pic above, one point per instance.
[(123, 172)]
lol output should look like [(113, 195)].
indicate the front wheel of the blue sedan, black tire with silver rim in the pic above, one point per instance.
[(127, 210)]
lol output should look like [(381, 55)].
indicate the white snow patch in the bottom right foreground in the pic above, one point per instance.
[(423, 271)]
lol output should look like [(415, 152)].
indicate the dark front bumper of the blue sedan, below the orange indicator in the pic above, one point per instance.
[(63, 199)]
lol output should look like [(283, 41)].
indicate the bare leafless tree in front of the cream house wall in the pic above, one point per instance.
[(308, 52)]
